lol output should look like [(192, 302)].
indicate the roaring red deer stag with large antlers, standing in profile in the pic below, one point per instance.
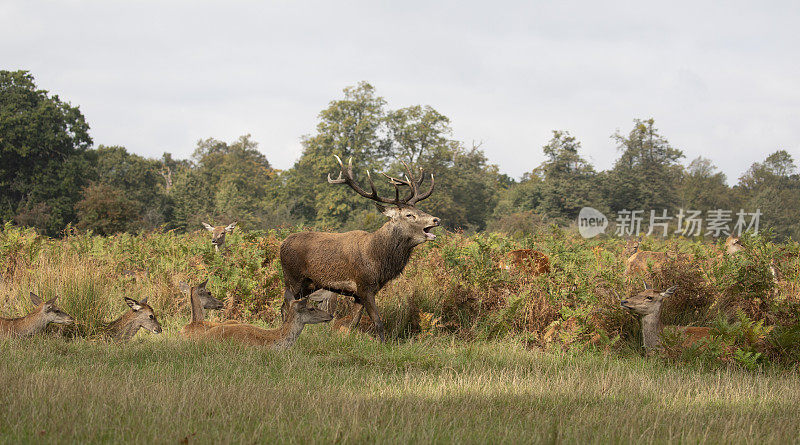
[(359, 263)]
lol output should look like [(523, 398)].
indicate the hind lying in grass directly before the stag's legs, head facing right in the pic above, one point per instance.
[(299, 314)]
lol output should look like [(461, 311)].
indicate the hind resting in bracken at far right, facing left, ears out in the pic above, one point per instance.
[(647, 304)]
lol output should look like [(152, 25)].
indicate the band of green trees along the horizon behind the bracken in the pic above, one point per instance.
[(52, 177)]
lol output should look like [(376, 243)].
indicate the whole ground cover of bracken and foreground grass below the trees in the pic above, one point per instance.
[(475, 353)]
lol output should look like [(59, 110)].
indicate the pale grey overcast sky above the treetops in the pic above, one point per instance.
[(721, 80)]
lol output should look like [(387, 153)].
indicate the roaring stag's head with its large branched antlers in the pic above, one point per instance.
[(412, 223)]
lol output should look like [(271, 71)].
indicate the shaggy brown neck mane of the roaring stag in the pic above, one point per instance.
[(392, 250)]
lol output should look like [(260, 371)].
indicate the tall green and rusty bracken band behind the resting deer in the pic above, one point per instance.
[(451, 287)]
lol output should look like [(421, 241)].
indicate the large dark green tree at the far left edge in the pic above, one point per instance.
[(43, 143)]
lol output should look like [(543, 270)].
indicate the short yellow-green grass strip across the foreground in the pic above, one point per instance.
[(351, 389)]
